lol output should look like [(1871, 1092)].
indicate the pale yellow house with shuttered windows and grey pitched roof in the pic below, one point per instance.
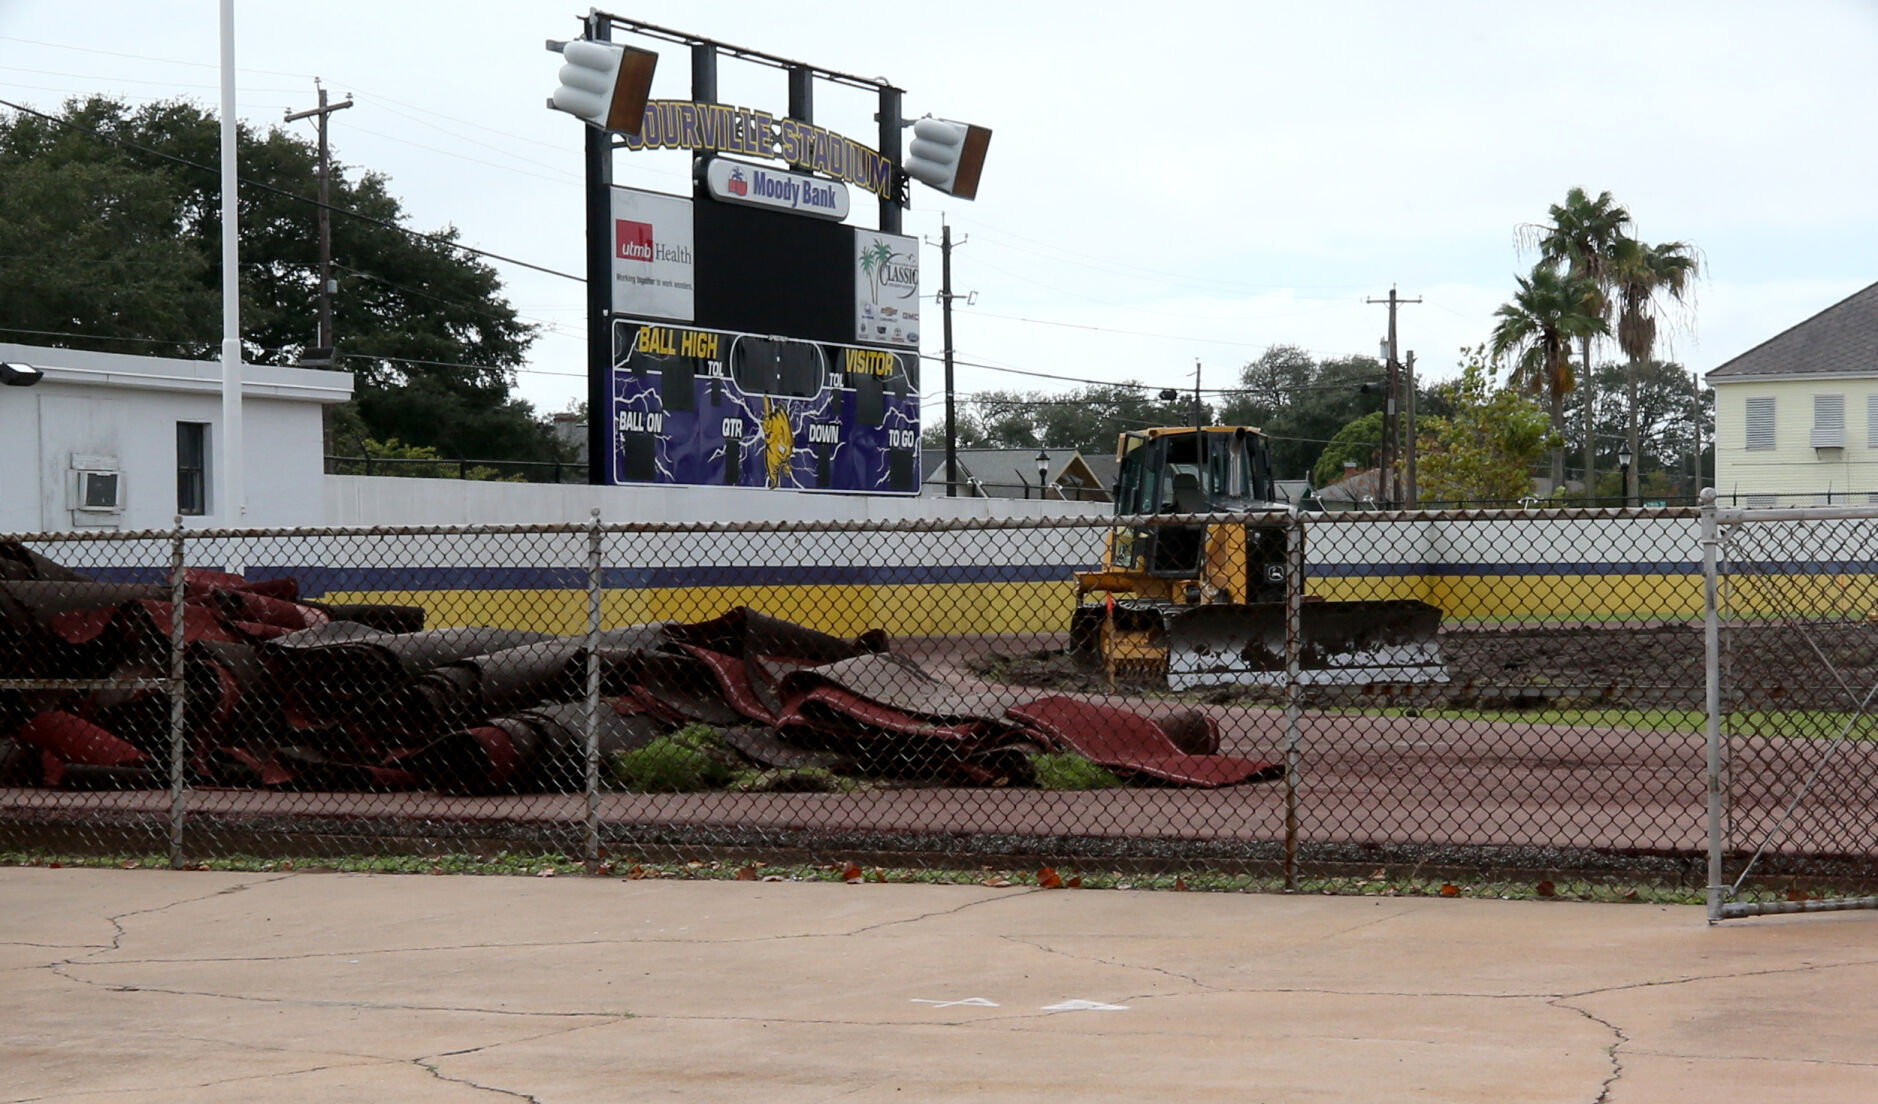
[(1796, 418)]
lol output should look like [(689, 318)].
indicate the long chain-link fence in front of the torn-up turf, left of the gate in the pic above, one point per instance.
[(1349, 703)]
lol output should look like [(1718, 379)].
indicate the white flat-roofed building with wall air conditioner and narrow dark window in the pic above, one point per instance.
[(115, 442)]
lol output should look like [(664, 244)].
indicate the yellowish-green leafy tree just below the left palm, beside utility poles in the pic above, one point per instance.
[(1485, 450)]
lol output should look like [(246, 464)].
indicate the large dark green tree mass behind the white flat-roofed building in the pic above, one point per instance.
[(108, 247)]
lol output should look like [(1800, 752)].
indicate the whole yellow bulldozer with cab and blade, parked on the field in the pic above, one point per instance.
[(1205, 604)]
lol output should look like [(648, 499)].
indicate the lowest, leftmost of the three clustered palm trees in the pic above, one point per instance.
[(1537, 331)]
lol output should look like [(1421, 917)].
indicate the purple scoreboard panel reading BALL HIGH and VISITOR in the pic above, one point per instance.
[(703, 406)]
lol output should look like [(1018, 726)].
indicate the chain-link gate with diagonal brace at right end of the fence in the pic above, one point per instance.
[(1793, 765)]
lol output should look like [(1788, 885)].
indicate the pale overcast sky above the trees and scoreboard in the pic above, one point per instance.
[(1165, 183)]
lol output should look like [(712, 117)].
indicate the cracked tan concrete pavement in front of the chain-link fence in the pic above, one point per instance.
[(202, 989)]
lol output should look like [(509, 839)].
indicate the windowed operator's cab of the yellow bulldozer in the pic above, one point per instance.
[(1186, 472)]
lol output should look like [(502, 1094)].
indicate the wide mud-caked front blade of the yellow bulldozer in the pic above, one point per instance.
[(1340, 645)]
